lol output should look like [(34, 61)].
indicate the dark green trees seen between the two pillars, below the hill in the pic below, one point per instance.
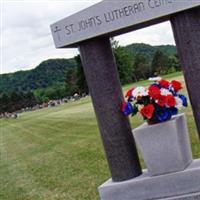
[(141, 67)]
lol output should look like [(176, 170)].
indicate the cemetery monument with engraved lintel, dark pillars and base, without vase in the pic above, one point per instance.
[(90, 30)]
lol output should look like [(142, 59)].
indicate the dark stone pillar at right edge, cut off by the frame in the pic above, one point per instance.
[(186, 28)]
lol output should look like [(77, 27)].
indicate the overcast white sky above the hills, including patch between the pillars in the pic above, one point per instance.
[(26, 39)]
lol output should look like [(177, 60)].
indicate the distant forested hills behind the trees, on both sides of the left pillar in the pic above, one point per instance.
[(52, 72)]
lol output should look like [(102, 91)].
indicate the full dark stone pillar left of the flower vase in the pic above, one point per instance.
[(105, 89)]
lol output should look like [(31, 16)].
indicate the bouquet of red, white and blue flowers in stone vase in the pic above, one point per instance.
[(157, 103)]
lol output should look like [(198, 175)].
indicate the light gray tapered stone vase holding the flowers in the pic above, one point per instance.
[(165, 147)]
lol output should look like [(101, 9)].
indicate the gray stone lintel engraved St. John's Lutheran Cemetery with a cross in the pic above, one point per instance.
[(114, 17)]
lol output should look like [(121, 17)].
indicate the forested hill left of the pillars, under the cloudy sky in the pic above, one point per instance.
[(48, 73)]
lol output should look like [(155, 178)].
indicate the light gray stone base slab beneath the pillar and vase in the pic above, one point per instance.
[(183, 184)]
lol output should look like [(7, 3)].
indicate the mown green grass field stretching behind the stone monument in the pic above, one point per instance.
[(57, 154)]
